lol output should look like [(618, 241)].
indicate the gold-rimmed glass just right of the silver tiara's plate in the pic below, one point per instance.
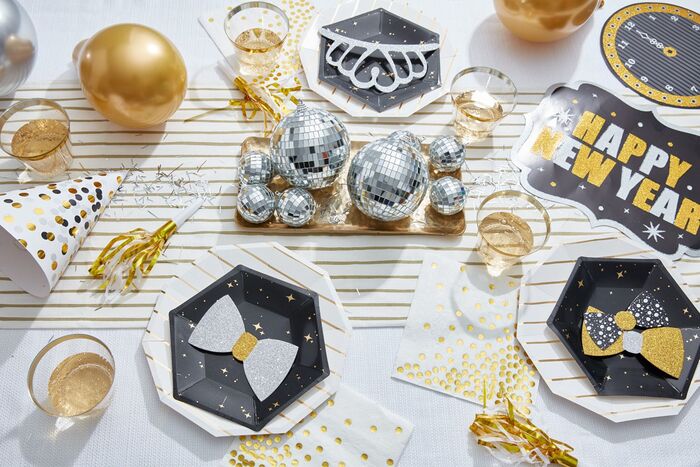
[(482, 97)]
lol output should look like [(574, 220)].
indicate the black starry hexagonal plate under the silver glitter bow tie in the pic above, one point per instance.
[(270, 309)]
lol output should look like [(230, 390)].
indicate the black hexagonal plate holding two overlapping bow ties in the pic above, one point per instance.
[(611, 285)]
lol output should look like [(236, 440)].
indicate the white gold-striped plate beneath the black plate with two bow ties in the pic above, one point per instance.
[(538, 295)]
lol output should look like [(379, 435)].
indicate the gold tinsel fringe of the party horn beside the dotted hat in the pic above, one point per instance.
[(138, 248)]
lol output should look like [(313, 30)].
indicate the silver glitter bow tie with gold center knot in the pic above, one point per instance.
[(266, 362)]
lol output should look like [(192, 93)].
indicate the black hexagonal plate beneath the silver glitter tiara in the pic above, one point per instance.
[(384, 27)]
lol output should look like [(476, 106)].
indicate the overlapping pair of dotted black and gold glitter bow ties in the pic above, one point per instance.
[(662, 346)]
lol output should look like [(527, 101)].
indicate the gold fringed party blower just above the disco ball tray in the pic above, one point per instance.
[(270, 99)]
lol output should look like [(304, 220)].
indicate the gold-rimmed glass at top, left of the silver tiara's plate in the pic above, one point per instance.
[(258, 31)]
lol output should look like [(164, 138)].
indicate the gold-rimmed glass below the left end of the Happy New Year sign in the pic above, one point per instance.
[(511, 225)]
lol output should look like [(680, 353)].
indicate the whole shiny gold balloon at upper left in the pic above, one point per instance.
[(131, 74)]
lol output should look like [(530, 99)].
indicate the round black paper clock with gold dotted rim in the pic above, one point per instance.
[(654, 49)]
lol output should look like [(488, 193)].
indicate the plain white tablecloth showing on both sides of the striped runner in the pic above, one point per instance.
[(138, 430)]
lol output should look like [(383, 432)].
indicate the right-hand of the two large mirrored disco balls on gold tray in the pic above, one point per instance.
[(387, 180)]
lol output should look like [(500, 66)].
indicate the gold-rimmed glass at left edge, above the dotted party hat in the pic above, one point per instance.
[(37, 133)]
